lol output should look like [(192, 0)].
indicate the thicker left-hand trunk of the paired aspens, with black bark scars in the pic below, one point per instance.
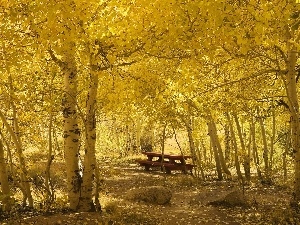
[(71, 132)]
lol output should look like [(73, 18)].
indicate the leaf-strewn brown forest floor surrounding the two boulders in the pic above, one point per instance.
[(267, 204)]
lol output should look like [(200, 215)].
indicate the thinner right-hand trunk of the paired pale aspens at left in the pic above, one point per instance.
[(89, 164)]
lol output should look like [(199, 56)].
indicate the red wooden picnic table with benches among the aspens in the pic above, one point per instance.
[(166, 161)]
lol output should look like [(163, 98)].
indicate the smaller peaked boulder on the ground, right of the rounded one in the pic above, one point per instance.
[(232, 199)]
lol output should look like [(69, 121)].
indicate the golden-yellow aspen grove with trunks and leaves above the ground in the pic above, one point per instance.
[(85, 82)]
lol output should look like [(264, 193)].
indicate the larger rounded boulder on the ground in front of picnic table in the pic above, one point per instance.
[(155, 195)]
